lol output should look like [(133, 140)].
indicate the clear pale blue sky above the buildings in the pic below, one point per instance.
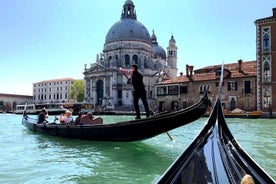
[(50, 39)]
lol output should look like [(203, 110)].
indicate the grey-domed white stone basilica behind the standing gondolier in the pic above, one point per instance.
[(128, 42)]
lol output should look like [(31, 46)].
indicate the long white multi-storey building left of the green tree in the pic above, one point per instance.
[(52, 91)]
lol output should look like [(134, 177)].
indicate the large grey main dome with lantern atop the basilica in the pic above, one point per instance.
[(128, 28)]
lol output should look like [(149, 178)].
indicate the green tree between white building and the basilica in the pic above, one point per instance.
[(77, 91)]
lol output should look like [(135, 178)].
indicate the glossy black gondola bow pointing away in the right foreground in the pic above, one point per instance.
[(215, 157)]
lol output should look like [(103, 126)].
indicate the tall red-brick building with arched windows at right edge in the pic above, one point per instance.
[(266, 64)]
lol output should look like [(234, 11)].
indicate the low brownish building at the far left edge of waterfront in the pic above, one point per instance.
[(8, 102)]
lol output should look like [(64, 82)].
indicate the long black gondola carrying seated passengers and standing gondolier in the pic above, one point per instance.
[(123, 131)]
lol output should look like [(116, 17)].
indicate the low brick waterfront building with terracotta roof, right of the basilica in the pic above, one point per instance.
[(238, 89)]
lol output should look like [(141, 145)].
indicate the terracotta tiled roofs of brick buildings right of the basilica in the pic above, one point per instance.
[(209, 73)]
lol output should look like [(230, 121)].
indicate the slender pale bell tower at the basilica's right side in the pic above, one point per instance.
[(172, 57)]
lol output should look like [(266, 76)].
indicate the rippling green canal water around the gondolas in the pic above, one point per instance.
[(30, 158)]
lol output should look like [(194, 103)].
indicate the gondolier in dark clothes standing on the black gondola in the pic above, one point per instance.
[(139, 91)]
